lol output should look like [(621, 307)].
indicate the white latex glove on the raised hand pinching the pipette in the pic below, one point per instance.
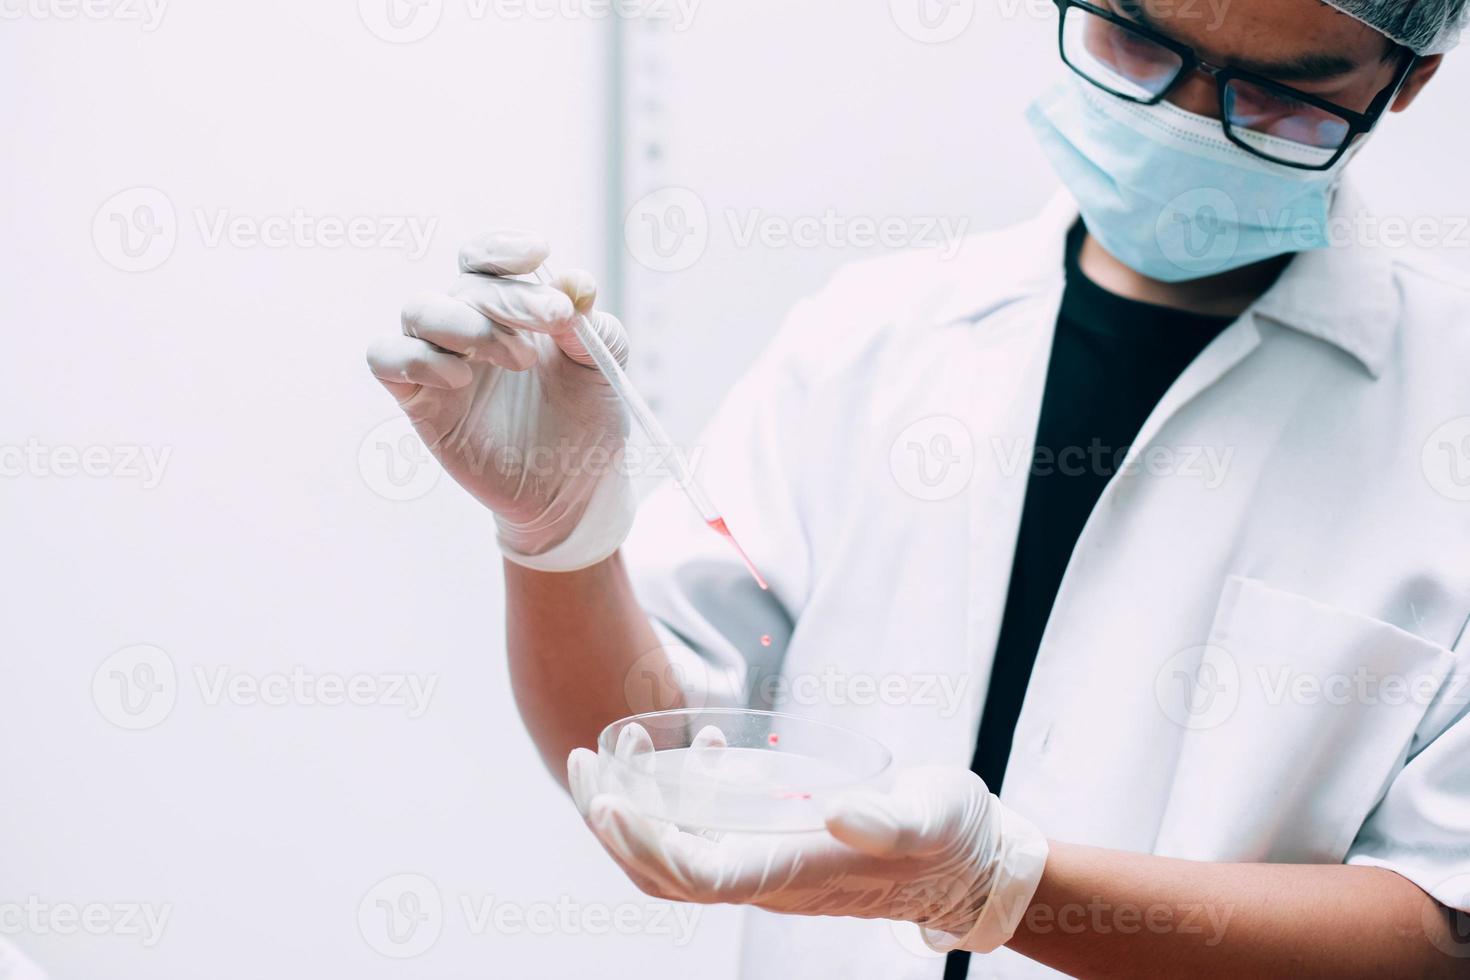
[(509, 402)]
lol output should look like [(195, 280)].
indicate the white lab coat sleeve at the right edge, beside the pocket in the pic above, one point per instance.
[(1421, 829)]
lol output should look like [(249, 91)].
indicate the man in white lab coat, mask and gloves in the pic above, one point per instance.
[(1212, 640)]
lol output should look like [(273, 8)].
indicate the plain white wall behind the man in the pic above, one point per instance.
[(276, 538)]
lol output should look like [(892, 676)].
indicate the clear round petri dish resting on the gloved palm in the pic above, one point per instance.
[(774, 775)]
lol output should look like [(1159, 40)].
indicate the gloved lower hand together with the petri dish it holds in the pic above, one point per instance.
[(797, 816)]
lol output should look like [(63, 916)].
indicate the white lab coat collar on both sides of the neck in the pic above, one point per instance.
[(1344, 295)]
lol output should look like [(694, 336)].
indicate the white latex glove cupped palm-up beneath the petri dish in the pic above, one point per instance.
[(939, 850)]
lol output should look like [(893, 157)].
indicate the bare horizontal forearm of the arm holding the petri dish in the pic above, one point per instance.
[(1114, 915)]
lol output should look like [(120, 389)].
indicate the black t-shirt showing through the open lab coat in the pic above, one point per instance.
[(1112, 362)]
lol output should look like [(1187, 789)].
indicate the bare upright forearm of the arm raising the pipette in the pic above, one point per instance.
[(576, 638)]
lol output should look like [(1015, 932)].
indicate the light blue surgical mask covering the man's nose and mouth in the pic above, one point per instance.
[(1168, 195)]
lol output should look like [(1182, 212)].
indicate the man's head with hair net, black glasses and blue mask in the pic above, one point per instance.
[(1225, 123)]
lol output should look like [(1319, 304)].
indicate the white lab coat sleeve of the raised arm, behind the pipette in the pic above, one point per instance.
[(720, 631)]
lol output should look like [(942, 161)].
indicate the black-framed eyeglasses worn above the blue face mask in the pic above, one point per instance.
[(1272, 121)]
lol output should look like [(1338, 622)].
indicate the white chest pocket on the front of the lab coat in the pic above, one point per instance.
[(1297, 715)]
